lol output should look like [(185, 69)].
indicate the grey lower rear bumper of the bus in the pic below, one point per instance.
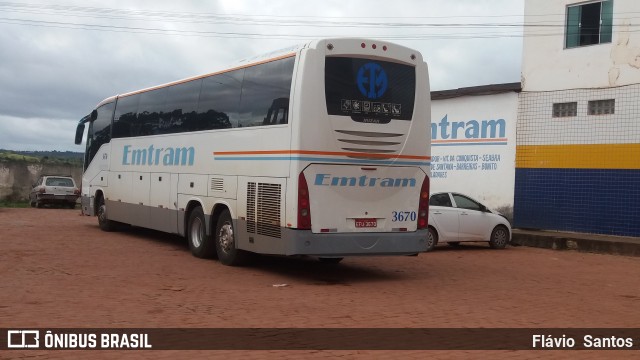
[(304, 242)]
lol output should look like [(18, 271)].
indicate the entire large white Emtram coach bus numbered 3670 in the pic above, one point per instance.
[(321, 149)]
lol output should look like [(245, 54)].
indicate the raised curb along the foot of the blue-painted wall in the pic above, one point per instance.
[(601, 244)]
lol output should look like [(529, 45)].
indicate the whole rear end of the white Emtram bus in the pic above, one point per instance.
[(361, 150)]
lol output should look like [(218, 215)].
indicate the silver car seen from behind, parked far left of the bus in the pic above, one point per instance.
[(54, 189)]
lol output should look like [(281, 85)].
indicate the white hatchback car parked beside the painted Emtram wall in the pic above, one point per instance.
[(456, 218)]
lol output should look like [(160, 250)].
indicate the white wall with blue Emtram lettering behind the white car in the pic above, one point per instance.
[(473, 138)]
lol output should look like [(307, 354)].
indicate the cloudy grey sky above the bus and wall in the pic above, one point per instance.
[(59, 59)]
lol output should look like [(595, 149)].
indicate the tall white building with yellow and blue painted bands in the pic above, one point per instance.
[(578, 132)]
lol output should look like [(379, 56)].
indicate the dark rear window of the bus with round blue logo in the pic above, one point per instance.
[(371, 91)]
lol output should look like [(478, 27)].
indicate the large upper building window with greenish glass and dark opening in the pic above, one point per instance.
[(589, 24)]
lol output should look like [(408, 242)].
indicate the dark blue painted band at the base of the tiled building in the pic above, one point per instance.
[(599, 201)]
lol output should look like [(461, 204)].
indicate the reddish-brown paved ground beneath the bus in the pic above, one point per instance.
[(58, 269)]
